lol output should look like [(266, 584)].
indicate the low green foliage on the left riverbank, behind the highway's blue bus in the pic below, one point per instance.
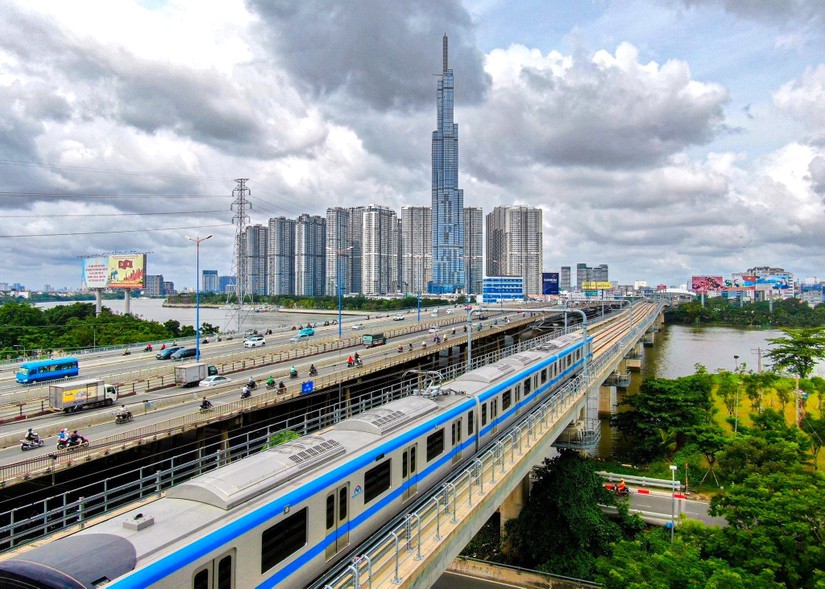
[(26, 330)]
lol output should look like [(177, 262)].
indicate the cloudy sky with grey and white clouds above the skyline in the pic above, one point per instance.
[(665, 138)]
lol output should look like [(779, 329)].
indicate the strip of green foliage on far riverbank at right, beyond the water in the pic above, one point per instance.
[(718, 310)]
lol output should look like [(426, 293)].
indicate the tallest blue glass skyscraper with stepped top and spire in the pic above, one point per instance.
[(447, 198)]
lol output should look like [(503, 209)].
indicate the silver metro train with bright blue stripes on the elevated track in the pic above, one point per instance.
[(284, 515)]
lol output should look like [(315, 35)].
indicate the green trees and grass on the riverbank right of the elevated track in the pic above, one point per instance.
[(761, 470)]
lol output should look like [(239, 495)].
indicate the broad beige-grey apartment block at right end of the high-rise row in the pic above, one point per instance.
[(515, 244)]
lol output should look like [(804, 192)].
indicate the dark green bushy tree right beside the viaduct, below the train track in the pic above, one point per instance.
[(562, 529)]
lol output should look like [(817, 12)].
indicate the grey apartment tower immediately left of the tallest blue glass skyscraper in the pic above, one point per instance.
[(416, 249)]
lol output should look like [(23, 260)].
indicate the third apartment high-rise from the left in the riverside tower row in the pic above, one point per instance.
[(310, 255)]
